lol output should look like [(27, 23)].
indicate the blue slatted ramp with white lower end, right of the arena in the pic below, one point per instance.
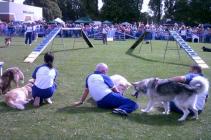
[(192, 54)]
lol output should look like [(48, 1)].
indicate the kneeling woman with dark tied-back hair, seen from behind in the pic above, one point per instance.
[(44, 81)]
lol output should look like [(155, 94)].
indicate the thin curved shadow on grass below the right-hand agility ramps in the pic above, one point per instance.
[(129, 52)]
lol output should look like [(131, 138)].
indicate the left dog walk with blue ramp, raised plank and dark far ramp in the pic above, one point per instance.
[(48, 39)]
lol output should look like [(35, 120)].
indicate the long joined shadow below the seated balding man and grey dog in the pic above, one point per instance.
[(143, 118)]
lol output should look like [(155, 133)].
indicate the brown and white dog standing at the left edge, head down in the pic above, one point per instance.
[(11, 74)]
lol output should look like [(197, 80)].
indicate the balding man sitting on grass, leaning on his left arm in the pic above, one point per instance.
[(105, 94)]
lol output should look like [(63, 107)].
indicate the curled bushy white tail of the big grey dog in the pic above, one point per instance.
[(200, 84)]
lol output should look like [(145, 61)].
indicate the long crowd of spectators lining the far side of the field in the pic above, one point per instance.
[(124, 30)]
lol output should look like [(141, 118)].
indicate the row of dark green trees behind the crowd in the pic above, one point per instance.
[(187, 11)]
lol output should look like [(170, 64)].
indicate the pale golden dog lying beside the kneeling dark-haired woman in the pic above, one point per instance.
[(18, 97)]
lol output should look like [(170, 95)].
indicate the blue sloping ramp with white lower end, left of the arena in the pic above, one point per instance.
[(41, 47)]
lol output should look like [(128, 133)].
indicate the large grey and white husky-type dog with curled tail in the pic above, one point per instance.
[(163, 91)]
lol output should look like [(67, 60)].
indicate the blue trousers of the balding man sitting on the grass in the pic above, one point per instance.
[(115, 100)]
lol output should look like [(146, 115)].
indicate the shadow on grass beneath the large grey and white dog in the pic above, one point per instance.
[(155, 119)]
